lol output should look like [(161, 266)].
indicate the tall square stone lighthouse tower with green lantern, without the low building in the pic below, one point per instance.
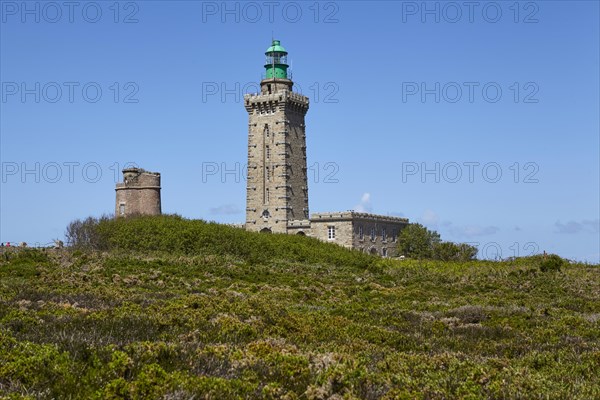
[(277, 192)]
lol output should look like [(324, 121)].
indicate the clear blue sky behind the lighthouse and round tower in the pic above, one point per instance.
[(480, 121)]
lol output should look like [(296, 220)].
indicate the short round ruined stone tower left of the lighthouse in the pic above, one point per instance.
[(139, 193)]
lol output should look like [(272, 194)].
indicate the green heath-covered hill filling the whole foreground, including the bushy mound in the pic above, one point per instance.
[(175, 309)]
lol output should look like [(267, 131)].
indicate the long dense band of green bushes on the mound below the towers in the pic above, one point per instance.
[(177, 235)]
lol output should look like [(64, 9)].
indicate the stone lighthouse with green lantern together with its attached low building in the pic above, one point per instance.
[(277, 184)]
